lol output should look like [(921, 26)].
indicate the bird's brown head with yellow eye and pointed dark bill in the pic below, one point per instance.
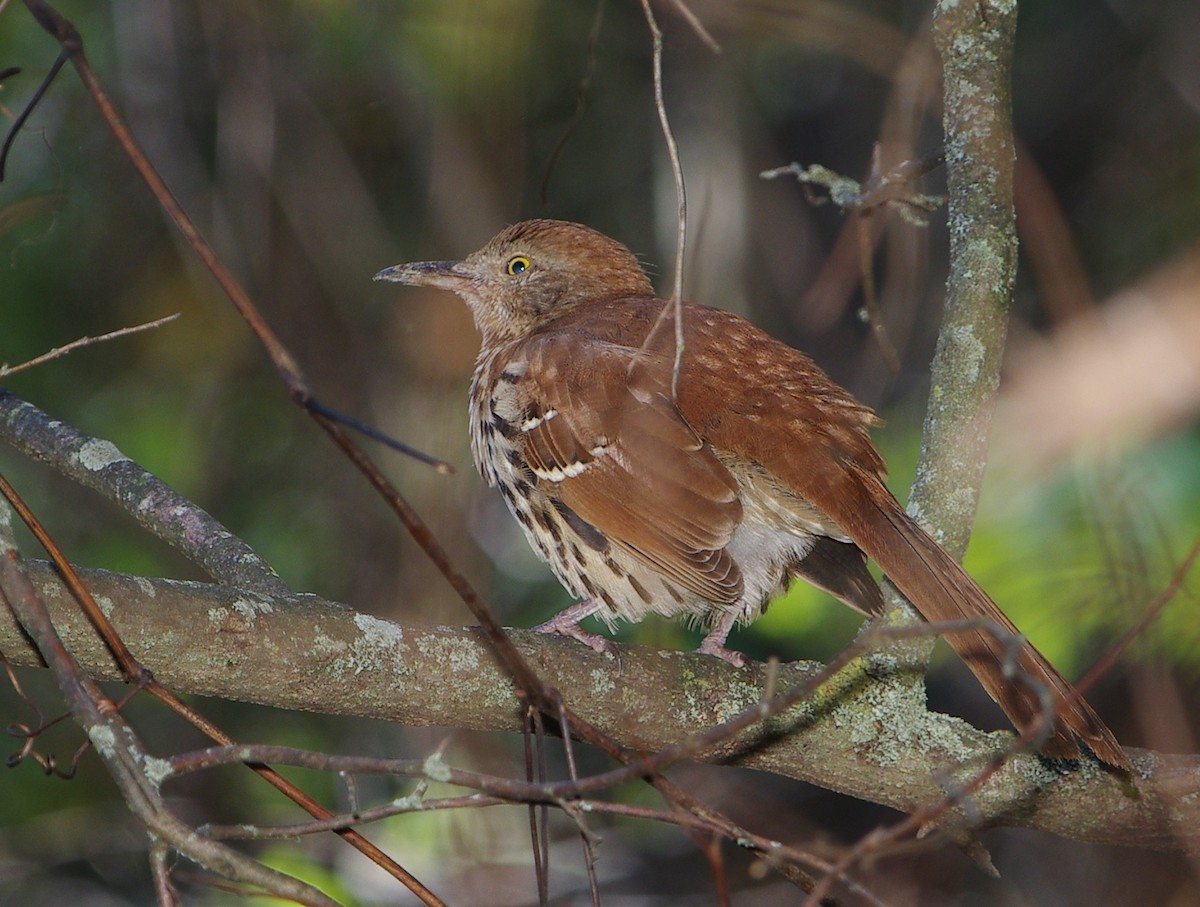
[(530, 274)]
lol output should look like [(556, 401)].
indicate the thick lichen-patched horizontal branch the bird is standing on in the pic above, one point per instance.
[(859, 737)]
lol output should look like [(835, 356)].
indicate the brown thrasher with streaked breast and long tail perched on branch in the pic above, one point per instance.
[(706, 502)]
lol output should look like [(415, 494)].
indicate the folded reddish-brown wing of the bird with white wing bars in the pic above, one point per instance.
[(603, 437)]
